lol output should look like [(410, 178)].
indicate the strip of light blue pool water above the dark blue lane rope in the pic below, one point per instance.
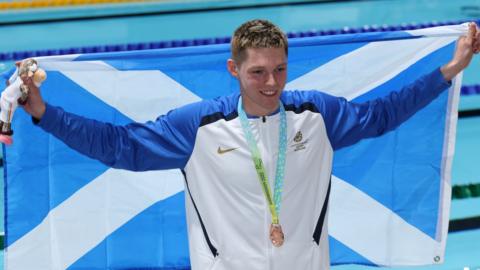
[(222, 23)]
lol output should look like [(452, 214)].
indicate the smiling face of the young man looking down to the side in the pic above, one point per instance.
[(262, 76)]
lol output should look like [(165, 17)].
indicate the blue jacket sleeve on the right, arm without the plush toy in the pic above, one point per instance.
[(349, 122)]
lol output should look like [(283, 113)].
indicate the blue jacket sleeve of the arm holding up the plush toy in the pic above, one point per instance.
[(162, 144)]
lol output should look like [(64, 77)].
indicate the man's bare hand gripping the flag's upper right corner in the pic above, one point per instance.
[(466, 47)]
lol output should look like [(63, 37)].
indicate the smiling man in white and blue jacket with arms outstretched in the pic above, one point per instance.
[(257, 164)]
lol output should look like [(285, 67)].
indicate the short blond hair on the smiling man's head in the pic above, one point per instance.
[(256, 34)]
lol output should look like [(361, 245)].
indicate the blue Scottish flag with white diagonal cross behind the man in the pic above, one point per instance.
[(390, 195)]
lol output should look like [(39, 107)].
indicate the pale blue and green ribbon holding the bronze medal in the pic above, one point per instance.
[(274, 203)]
